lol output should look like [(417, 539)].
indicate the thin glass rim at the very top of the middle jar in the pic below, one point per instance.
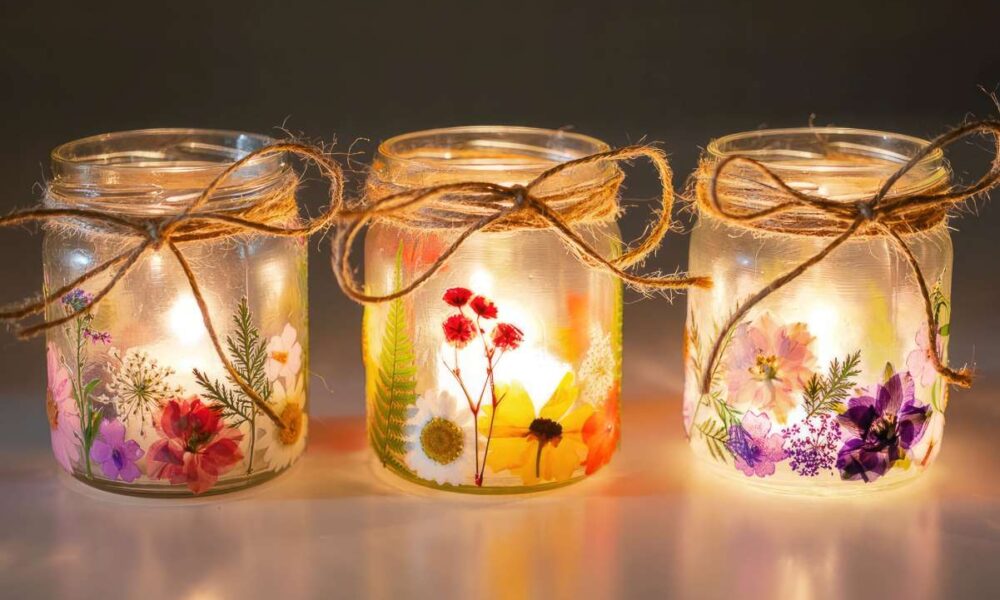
[(391, 149)]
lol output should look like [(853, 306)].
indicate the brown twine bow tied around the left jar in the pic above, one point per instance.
[(195, 222)]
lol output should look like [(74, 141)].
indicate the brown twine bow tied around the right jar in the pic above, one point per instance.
[(882, 215)]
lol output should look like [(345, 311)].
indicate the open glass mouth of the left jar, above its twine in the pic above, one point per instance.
[(161, 170)]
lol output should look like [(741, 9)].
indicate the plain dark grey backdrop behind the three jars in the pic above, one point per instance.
[(680, 73)]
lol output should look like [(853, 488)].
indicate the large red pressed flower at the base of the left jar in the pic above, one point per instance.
[(196, 448)]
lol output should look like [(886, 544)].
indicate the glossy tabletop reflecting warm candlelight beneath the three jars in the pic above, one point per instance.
[(649, 526)]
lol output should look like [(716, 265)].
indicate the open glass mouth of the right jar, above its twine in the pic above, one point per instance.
[(839, 163)]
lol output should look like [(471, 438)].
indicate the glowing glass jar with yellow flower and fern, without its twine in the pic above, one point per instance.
[(513, 319)]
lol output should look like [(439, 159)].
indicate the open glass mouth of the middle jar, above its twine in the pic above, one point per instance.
[(493, 153)]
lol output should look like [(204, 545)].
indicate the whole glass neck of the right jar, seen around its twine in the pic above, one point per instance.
[(840, 165)]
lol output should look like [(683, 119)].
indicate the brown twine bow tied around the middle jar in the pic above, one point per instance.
[(476, 206)]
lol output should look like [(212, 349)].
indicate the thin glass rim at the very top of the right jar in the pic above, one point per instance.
[(716, 148)]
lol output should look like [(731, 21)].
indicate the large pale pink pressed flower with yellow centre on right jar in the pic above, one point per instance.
[(767, 364)]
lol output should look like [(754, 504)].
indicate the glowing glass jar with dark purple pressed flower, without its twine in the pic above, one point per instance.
[(826, 386)]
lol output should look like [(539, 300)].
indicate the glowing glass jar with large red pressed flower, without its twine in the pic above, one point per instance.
[(138, 400)]
